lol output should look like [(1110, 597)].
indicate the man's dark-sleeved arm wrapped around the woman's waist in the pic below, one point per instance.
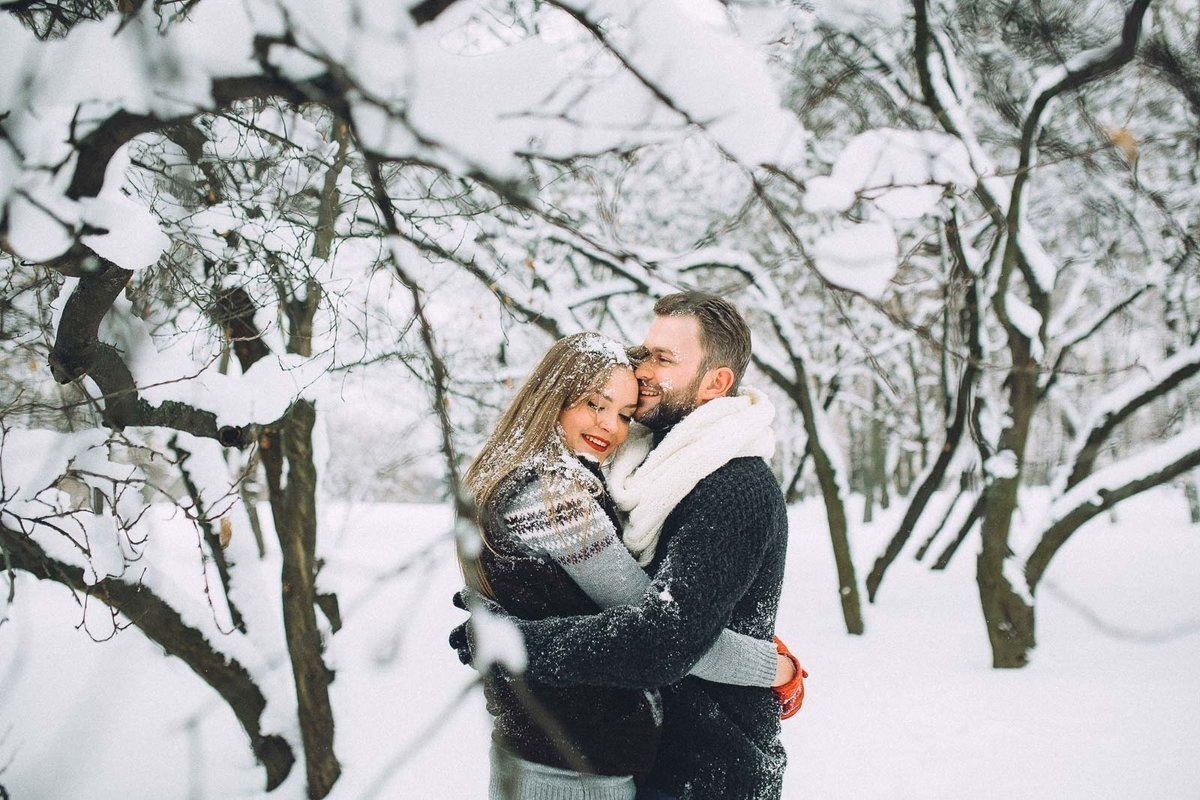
[(711, 561)]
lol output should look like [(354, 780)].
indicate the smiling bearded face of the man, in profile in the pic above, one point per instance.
[(669, 380)]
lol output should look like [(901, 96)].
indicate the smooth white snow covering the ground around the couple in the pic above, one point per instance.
[(1109, 708)]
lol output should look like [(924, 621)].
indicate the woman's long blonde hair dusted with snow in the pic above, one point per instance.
[(575, 369)]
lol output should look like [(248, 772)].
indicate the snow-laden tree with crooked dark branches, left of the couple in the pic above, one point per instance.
[(211, 212)]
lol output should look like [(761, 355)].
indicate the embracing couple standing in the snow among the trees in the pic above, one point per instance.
[(643, 563)]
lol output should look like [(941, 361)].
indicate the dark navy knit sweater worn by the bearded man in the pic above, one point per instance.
[(719, 563)]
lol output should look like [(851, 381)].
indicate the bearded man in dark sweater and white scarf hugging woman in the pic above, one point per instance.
[(709, 522)]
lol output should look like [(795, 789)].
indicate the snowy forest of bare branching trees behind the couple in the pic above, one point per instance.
[(260, 257)]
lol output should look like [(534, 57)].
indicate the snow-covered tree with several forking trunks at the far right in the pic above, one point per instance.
[(1063, 268)]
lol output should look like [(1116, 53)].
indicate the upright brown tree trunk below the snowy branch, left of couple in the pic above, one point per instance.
[(289, 442)]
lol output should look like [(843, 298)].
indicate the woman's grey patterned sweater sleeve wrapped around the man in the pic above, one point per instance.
[(577, 534)]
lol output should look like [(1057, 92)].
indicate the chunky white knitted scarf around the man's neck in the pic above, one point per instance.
[(649, 483)]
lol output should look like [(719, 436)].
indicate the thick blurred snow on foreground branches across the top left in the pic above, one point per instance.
[(71, 105)]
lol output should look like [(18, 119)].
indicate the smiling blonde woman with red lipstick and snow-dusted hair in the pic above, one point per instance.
[(551, 549)]
